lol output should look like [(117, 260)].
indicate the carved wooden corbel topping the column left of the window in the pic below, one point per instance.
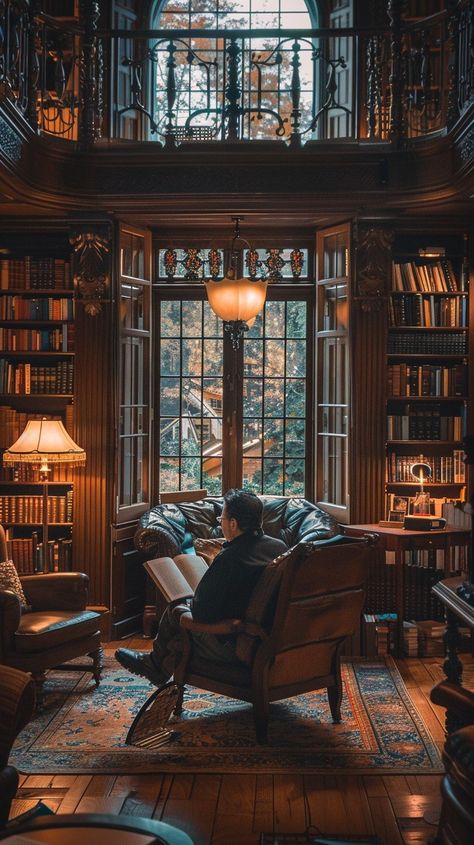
[(91, 265)]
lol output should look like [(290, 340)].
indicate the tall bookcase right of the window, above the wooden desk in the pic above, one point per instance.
[(427, 373)]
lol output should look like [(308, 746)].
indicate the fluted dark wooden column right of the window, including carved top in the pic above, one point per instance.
[(372, 252)]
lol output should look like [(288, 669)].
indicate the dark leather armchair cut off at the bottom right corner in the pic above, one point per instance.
[(456, 824)]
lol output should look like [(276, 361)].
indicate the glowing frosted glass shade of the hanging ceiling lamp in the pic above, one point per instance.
[(236, 299)]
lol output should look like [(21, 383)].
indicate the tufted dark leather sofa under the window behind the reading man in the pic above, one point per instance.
[(171, 529)]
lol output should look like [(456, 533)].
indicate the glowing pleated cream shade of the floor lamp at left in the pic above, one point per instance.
[(44, 441)]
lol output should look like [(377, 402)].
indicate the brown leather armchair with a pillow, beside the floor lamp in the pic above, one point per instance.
[(56, 627)]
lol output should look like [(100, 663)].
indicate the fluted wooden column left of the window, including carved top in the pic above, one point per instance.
[(93, 408)]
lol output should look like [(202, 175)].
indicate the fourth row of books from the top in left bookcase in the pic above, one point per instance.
[(28, 378)]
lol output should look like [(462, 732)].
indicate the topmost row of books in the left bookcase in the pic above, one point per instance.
[(31, 273)]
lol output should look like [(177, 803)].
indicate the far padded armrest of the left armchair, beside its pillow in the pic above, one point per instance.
[(57, 590)]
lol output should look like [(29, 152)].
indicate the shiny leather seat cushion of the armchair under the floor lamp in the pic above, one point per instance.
[(39, 631)]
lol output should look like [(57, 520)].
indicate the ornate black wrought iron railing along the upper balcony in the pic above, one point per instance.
[(73, 81)]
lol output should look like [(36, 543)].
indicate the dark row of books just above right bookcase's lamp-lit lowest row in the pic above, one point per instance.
[(425, 422)]
